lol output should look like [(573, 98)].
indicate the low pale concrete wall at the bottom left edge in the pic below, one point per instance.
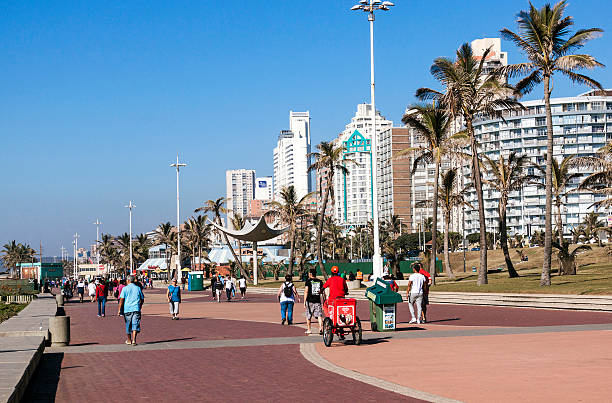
[(22, 342)]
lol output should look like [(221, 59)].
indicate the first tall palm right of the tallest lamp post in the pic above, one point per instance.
[(432, 124)]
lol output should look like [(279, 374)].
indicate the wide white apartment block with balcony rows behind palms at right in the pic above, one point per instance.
[(581, 126)]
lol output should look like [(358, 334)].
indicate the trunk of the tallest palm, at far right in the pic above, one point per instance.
[(545, 277)]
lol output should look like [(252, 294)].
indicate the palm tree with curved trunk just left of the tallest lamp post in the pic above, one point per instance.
[(329, 159)]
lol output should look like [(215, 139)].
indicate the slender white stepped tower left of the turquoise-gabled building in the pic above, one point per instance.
[(291, 159)]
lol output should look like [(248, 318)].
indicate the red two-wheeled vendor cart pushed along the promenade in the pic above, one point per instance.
[(341, 317)]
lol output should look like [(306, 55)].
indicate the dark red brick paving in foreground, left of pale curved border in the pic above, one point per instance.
[(237, 374)]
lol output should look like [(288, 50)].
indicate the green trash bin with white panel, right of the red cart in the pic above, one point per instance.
[(383, 302)]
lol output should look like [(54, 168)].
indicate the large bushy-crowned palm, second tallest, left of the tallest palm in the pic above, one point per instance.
[(469, 92)]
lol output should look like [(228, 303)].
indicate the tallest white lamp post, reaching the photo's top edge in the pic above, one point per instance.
[(369, 7)]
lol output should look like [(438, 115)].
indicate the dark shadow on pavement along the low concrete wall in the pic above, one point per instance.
[(43, 385)]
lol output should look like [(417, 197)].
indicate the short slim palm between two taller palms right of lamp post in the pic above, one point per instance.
[(449, 199)]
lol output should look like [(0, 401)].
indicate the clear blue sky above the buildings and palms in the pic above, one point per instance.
[(97, 97)]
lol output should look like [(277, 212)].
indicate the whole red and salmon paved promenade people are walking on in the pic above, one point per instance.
[(239, 351)]
